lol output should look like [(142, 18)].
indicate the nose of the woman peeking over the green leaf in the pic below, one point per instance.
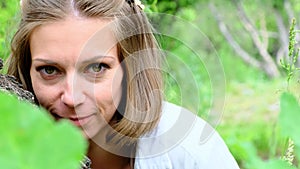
[(72, 94)]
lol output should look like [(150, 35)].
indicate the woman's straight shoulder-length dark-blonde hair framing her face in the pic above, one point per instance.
[(143, 85)]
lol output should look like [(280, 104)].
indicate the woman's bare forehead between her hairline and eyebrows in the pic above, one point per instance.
[(73, 36)]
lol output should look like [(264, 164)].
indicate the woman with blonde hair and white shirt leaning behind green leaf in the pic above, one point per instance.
[(97, 64)]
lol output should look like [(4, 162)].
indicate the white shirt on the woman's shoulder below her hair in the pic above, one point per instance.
[(182, 140)]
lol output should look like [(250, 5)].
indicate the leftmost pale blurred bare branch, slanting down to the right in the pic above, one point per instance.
[(237, 48)]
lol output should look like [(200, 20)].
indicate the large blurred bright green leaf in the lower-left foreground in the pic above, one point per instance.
[(31, 139)]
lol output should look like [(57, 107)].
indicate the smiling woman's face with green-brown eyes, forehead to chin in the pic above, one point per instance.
[(76, 73)]
